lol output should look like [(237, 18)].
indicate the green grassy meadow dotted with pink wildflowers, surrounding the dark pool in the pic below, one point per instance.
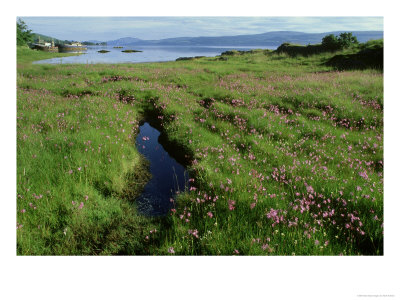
[(286, 156)]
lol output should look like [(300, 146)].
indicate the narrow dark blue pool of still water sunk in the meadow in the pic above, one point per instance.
[(168, 176)]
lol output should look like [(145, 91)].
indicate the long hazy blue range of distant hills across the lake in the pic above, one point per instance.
[(274, 38)]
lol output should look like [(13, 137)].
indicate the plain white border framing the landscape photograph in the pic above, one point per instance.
[(199, 277)]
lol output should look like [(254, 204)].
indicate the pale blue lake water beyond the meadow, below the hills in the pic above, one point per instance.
[(149, 54)]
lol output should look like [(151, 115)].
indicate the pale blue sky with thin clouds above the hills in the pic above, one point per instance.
[(153, 28)]
